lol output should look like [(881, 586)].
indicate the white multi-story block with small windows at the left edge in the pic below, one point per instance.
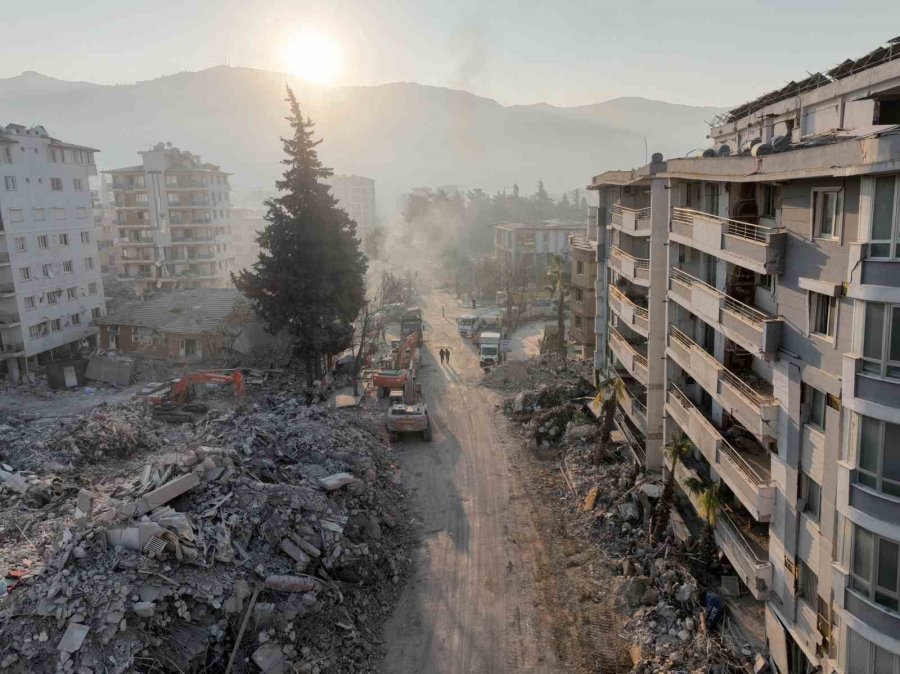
[(50, 284)]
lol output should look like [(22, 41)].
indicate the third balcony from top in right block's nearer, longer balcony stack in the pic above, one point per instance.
[(743, 395)]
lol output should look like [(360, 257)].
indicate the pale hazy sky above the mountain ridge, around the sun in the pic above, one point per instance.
[(562, 52)]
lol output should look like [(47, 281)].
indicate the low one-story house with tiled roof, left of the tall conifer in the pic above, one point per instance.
[(185, 325)]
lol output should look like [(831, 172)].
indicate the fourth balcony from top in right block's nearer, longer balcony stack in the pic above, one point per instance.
[(749, 476)]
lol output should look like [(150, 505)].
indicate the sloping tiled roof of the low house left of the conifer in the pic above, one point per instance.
[(187, 312)]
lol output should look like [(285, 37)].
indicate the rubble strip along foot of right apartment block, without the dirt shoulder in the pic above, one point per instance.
[(607, 506)]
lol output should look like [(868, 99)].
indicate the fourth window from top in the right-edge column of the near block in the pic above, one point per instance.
[(874, 571)]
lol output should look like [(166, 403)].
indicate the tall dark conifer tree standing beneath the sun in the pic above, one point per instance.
[(310, 276)]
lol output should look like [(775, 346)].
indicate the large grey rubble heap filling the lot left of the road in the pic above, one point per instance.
[(272, 538)]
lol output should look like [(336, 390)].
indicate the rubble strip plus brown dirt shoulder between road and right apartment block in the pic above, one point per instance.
[(635, 606)]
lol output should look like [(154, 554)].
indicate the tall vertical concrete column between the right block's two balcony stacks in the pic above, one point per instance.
[(656, 343)]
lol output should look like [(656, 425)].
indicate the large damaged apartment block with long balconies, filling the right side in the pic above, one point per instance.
[(746, 299)]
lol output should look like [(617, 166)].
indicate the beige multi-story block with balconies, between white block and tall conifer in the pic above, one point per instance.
[(172, 215)]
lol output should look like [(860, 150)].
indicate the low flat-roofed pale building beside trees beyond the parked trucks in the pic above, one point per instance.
[(528, 249)]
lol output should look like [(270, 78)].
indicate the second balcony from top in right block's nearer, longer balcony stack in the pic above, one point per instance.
[(754, 330)]
